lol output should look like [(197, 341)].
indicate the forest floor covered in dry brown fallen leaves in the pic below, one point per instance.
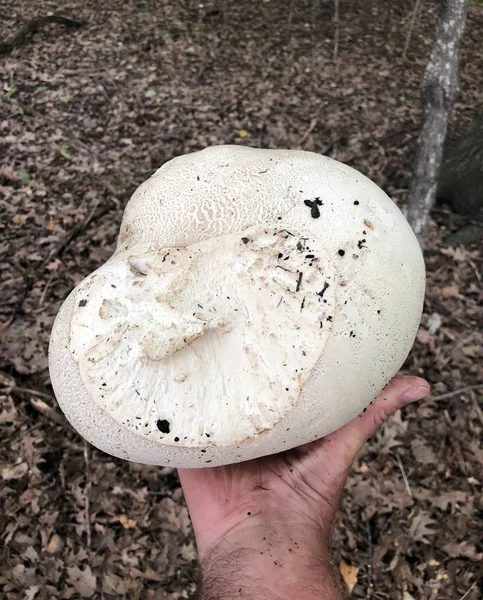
[(87, 114)]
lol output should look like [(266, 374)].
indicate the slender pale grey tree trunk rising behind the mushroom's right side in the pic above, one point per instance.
[(438, 91)]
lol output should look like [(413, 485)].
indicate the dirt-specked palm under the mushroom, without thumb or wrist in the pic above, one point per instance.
[(298, 482)]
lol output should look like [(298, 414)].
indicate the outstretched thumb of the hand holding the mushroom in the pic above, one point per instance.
[(346, 442)]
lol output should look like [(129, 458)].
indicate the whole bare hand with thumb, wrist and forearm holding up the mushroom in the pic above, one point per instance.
[(270, 520)]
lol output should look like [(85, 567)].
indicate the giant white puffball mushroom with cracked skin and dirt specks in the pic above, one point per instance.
[(257, 300)]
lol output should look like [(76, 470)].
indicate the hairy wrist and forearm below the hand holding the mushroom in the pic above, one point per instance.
[(270, 564)]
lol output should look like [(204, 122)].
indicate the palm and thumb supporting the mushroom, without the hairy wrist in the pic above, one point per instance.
[(303, 484)]
